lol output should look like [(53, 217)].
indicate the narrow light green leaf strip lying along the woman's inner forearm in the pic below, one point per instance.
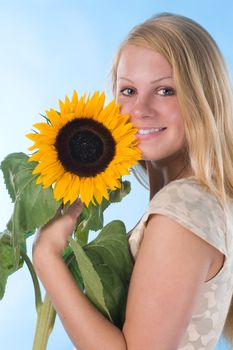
[(92, 282)]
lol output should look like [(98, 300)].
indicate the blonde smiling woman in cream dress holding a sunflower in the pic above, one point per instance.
[(169, 76)]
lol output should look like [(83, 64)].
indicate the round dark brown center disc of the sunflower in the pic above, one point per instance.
[(85, 147)]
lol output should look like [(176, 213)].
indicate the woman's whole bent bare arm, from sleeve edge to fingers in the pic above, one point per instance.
[(171, 267)]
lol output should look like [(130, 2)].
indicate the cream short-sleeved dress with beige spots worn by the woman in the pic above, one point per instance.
[(192, 206)]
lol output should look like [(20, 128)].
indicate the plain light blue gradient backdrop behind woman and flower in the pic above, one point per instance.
[(48, 48)]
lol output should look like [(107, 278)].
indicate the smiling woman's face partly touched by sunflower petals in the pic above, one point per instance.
[(146, 91)]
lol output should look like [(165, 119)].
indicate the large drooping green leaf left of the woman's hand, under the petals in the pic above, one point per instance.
[(34, 205)]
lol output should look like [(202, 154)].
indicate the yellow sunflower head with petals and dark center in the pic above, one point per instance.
[(84, 149)]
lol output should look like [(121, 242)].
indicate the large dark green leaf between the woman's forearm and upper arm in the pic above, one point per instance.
[(112, 265)]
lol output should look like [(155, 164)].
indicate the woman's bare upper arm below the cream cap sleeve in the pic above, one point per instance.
[(170, 269)]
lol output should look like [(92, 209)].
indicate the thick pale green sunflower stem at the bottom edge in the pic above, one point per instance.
[(45, 322)]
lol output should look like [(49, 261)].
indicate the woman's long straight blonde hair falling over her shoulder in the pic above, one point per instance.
[(205, 95)]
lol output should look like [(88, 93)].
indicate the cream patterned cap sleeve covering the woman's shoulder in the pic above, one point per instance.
[(193, 206)]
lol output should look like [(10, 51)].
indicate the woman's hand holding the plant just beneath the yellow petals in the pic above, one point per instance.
[(53, 237)]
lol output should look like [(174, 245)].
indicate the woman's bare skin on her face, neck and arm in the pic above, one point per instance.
[(171, 258)]
